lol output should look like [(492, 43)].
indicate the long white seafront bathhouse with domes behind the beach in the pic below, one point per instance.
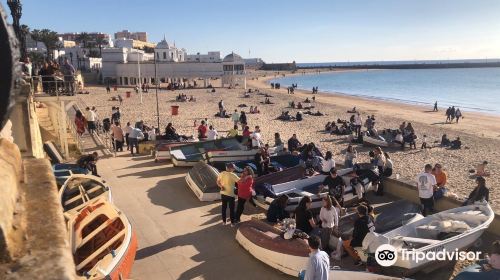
[(130, 66)]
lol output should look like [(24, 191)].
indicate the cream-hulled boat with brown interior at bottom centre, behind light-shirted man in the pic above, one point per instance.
[(264, 242)]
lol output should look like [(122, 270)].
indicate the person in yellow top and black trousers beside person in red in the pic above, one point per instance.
[(226, 182)]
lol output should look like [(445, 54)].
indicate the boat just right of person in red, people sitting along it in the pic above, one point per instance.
[(308, 186)]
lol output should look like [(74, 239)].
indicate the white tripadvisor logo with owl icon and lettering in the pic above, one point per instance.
[(386, 255)]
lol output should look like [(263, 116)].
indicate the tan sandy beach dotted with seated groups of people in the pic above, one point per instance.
[(480, 133)]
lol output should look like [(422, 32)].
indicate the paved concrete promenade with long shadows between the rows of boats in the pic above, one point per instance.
[(179, 236)]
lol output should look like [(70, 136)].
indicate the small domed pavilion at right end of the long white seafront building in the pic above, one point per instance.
[(234, 74)]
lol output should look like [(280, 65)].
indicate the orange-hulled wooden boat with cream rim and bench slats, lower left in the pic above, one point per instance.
[(102, 241)]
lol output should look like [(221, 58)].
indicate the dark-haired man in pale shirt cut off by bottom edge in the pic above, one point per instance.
[(318, 265)]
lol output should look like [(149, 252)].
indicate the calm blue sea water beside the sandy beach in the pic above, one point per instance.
[(470, 89)]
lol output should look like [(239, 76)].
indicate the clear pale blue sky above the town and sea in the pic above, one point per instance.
[(280, 30)]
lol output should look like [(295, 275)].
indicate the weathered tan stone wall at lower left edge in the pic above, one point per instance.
[(33, 235)]
